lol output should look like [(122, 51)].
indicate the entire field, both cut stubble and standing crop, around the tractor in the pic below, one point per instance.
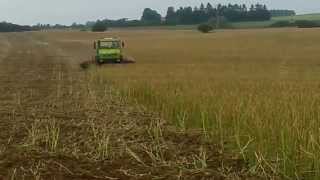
[(232, 104)]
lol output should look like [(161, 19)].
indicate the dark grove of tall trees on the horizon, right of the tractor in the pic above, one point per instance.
[(197, 15)]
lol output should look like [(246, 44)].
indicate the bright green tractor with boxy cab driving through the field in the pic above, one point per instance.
[(109, 50)]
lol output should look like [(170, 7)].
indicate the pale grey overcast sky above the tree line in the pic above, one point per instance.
[(68, 11)]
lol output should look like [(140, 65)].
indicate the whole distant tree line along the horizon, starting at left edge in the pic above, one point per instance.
[(181, 16)]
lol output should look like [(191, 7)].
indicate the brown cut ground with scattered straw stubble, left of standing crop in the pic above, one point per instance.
[(57, 122)]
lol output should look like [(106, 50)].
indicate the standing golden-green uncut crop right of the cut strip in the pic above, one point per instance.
[(255, 92)]
